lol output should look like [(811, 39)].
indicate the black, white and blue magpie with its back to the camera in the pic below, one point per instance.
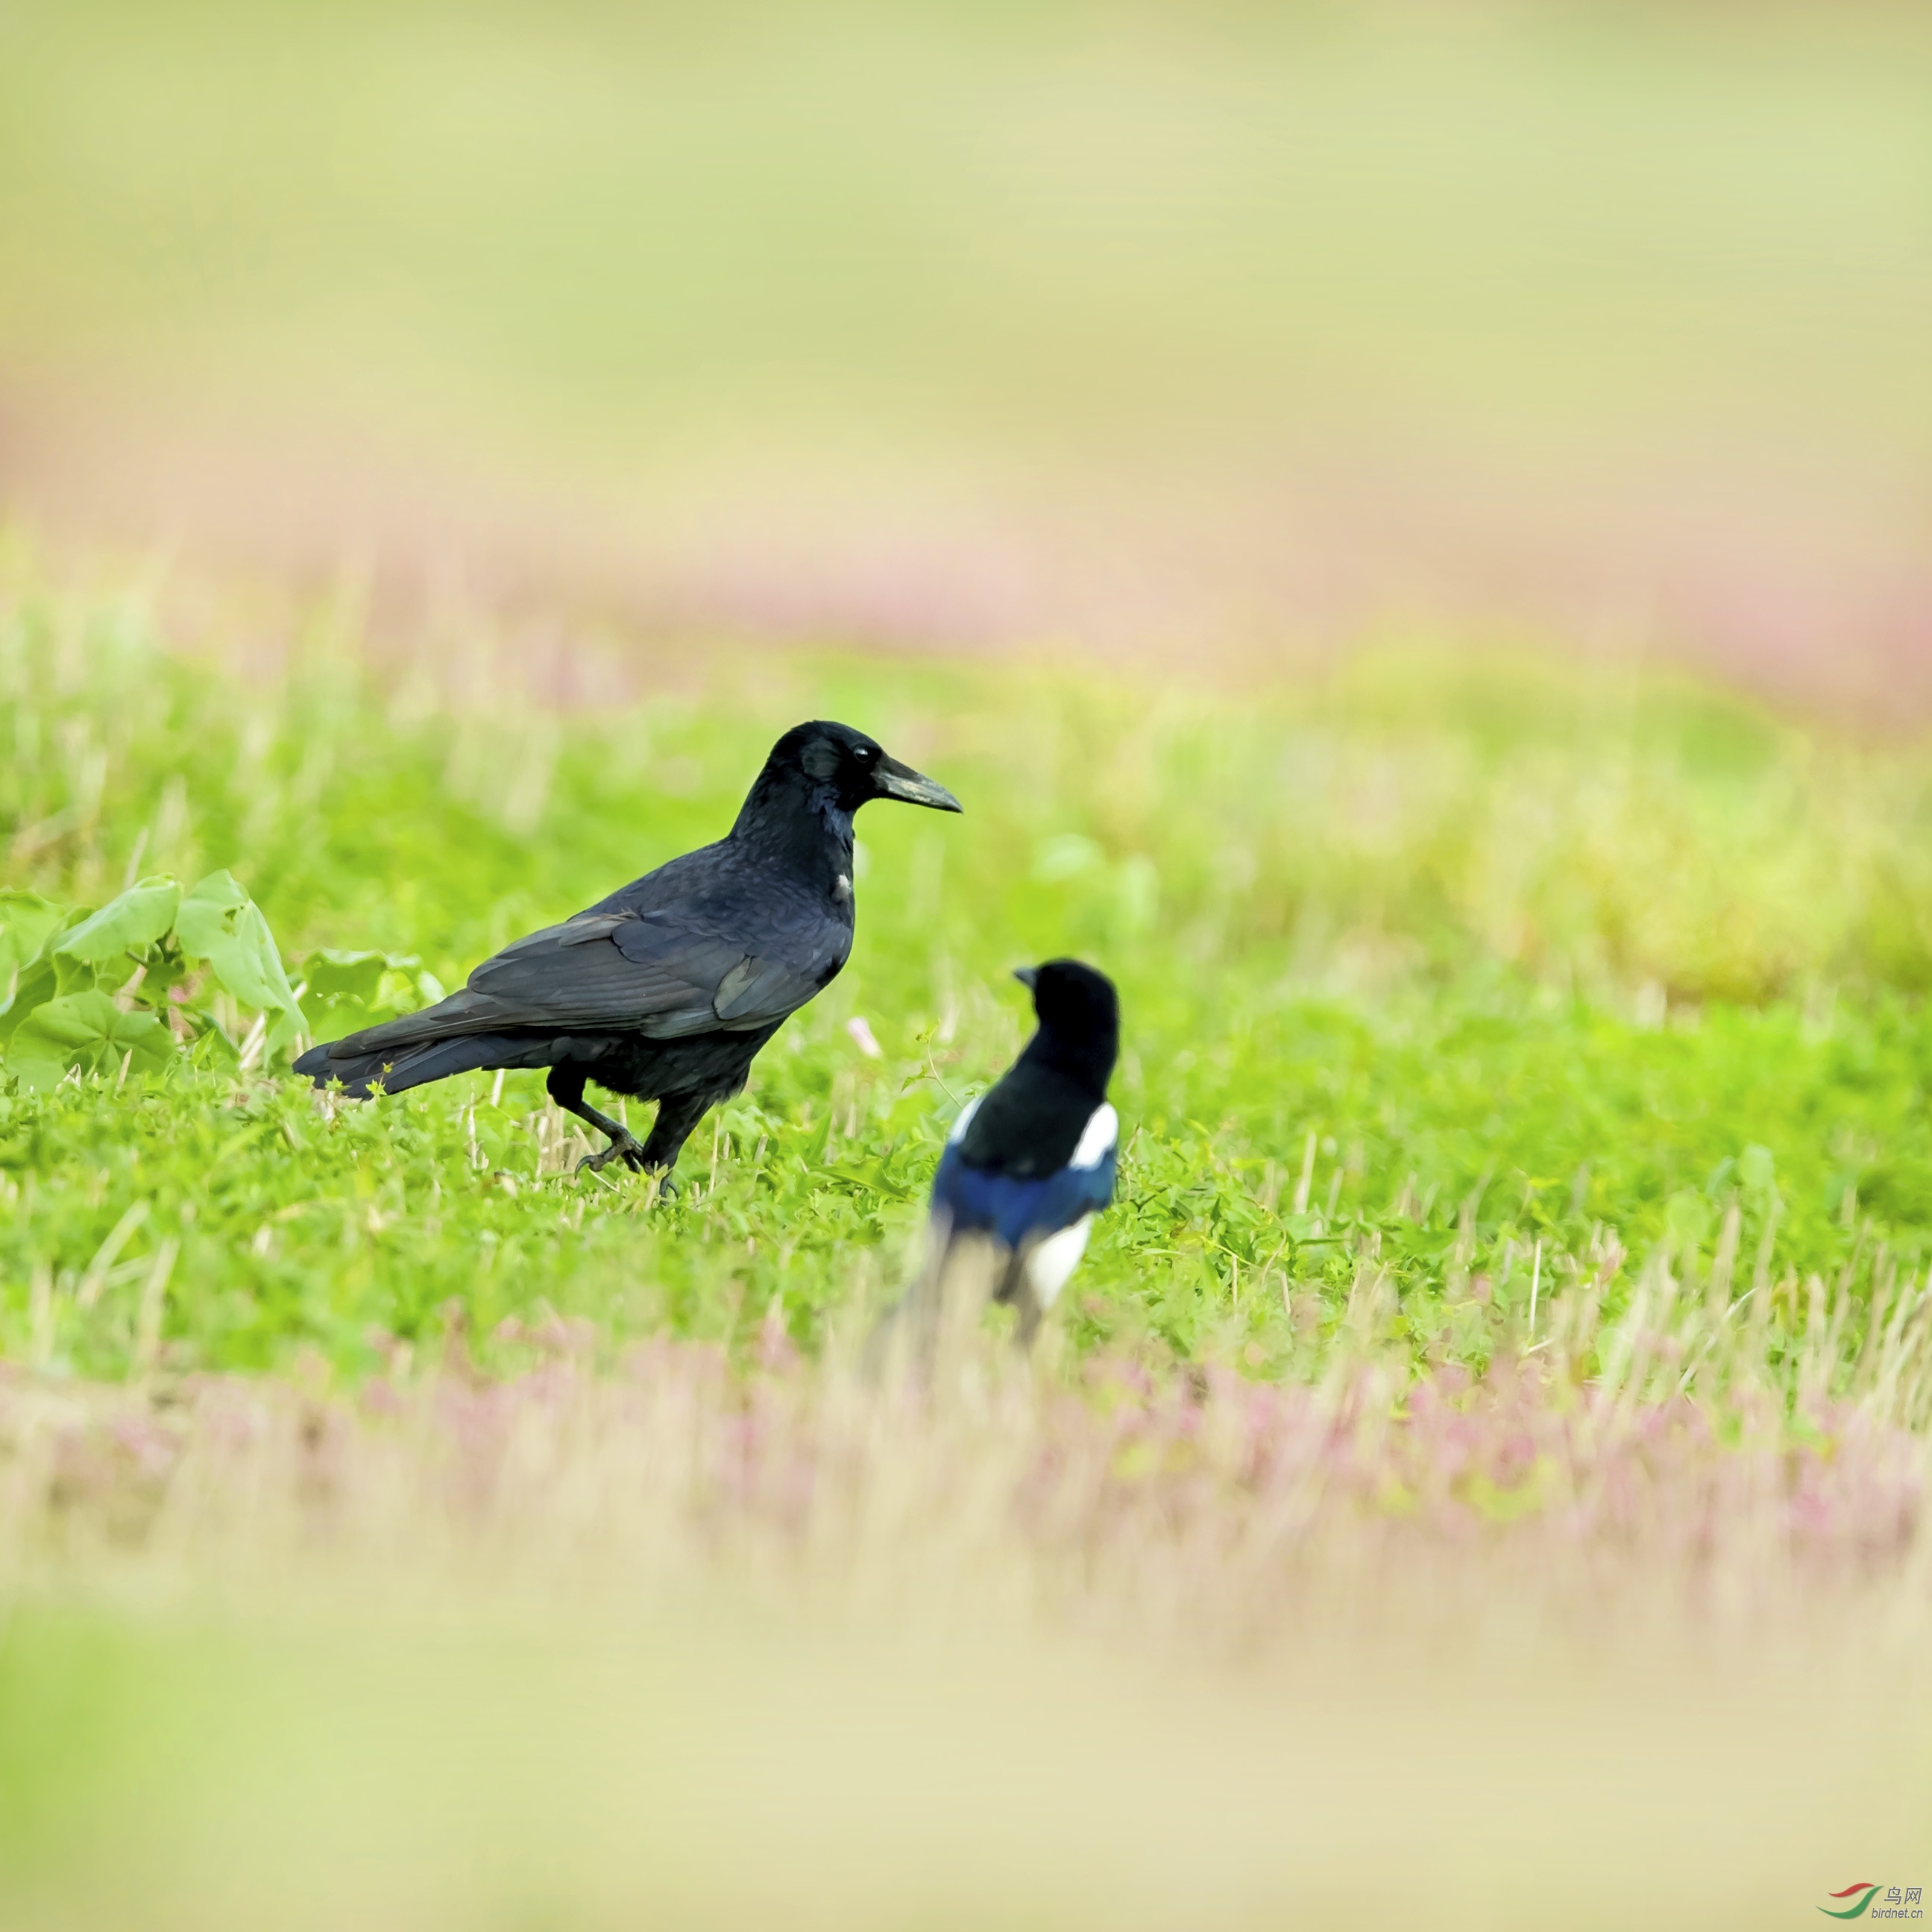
[(1033, 1160)]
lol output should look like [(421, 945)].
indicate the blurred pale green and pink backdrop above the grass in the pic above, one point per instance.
[(990, 322)]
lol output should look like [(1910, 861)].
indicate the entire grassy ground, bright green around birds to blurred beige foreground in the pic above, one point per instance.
[(1481, 1477)]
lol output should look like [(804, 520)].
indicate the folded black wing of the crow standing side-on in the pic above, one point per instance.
[(656, 975)]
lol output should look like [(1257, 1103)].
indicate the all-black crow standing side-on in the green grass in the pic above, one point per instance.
[(668, 988)]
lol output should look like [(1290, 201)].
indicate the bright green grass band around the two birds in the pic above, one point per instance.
[(1446, 975)]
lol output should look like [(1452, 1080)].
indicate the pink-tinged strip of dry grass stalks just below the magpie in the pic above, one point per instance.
[(1183, 1508)]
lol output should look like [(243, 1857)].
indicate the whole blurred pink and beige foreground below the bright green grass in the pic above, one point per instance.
[(720, 1645)]
